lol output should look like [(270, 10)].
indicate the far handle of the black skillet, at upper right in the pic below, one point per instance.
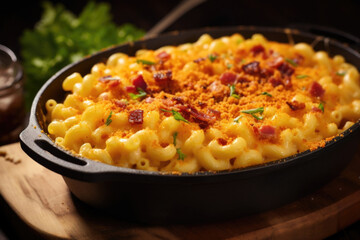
[(344, 37)]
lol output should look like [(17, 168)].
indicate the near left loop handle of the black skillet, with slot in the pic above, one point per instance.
[(41, 149)]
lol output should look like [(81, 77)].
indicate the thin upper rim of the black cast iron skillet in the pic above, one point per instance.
[(272, 165)]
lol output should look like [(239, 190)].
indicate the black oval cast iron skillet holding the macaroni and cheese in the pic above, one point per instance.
[(157, 197)]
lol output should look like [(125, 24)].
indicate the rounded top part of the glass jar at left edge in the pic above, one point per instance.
[(10, 70)]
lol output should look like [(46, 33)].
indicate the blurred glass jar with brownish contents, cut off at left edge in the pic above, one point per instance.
[(12, 107)]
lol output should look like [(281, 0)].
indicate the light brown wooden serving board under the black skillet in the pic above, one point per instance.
[(42, 200)]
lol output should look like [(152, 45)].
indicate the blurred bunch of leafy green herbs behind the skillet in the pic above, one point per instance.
[(61, 37)]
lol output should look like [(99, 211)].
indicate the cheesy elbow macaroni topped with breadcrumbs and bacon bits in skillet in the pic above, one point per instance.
[(215, 104)]
